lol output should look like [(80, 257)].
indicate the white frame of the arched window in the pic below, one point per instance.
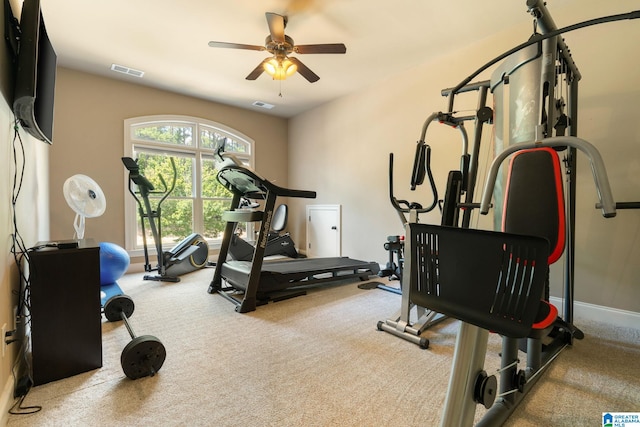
[(132, 217)]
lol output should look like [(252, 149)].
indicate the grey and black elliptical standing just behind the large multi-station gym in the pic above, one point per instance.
[(459, 183)]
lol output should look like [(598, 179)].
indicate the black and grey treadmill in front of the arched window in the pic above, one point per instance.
[(251, 283)]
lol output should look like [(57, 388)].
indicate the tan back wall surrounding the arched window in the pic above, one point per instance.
[(88, 139)]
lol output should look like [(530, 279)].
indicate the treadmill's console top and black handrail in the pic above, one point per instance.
[(260, 184)]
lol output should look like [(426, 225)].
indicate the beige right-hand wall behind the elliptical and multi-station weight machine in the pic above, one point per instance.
[(341, 149)]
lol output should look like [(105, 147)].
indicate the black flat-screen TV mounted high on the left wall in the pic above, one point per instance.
[(35, 74)]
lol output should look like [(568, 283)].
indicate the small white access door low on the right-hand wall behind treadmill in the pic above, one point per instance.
[(323, 231)]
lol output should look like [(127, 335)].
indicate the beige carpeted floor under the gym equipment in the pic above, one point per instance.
[(316, 360)]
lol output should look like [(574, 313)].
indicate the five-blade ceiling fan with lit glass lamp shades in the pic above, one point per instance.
[(281, 65)]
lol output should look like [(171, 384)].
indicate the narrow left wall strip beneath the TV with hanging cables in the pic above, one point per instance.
[(31, 210)]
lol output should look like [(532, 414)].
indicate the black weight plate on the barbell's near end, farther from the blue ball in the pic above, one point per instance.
[(142, 357)]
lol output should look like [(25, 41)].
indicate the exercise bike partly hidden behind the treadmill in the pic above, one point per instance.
[(278, 243)]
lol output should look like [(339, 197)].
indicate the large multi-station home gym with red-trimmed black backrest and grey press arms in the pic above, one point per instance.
[(499, 280)]
